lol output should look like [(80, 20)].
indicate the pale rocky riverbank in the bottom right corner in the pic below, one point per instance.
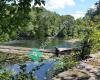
[(88, 69)]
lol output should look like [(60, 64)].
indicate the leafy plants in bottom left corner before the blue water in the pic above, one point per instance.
[(9, 75)]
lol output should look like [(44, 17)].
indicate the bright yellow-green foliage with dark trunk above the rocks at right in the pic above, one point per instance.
[(90, 43)]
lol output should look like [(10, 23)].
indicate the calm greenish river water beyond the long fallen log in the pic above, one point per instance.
[(37, 43)]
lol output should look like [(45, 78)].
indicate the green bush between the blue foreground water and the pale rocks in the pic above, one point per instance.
[(62, 63)]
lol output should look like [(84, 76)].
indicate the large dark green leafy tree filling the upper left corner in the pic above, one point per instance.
[(13, 16)]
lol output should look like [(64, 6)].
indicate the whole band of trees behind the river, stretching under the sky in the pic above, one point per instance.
[(38, 23)]
